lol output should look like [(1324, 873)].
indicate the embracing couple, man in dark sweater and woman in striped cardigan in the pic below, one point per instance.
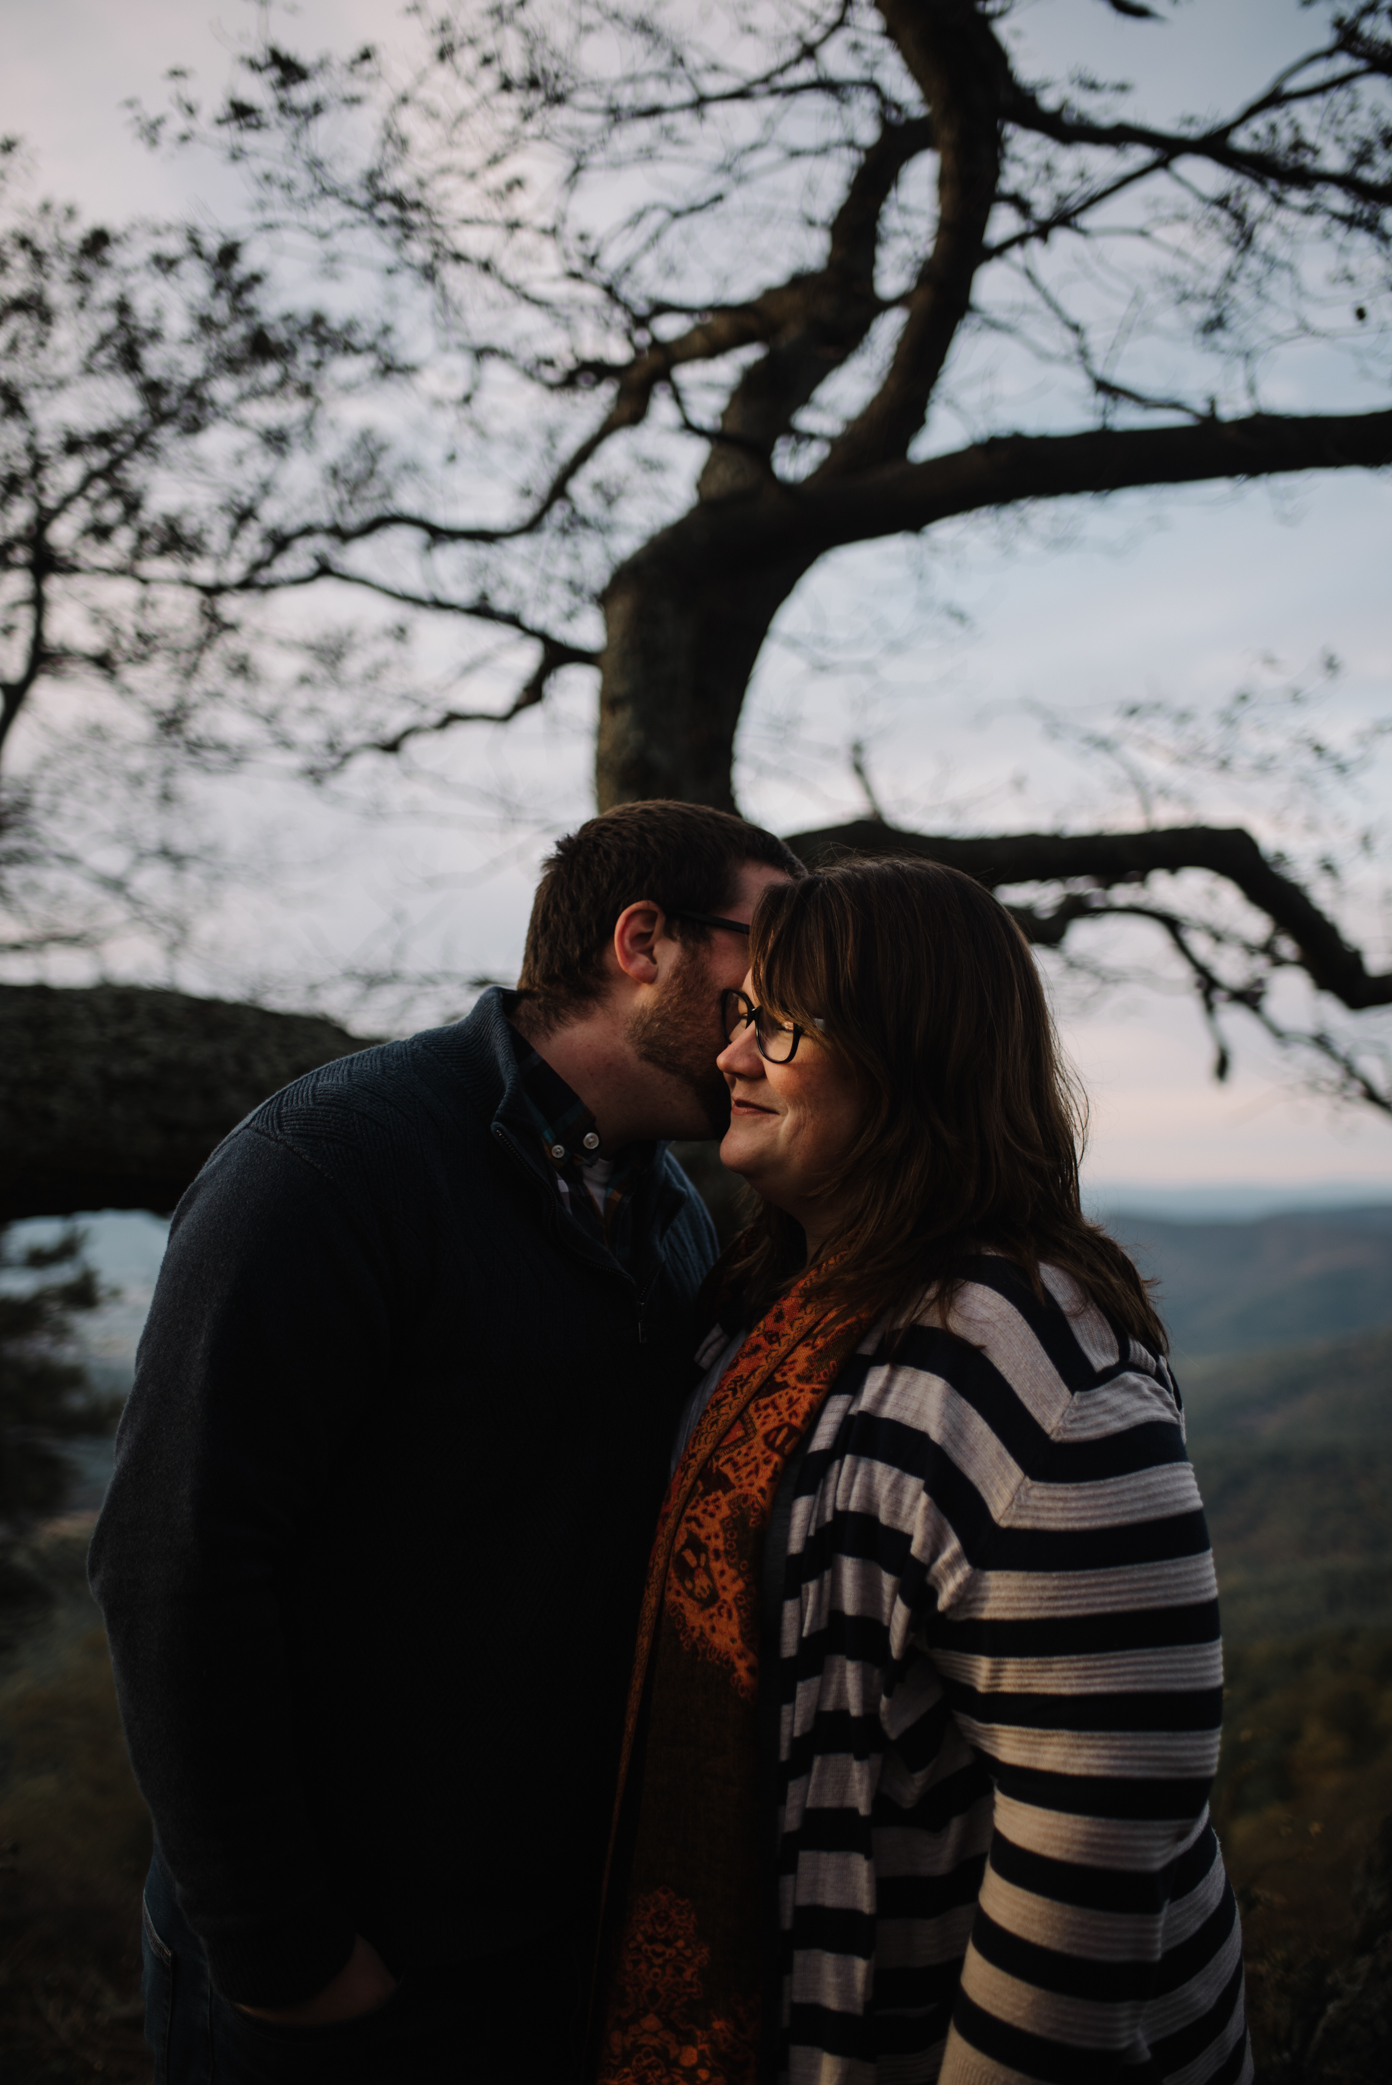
[(557, 1654)]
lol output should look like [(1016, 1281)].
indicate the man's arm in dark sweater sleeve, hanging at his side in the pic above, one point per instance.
[(264, 1348)]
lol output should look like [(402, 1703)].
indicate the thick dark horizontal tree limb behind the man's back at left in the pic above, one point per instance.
[(114, 1098)]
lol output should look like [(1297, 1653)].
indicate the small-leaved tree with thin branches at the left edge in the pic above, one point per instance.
[(149, 395)]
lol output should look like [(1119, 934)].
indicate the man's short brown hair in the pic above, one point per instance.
[(680, 856)]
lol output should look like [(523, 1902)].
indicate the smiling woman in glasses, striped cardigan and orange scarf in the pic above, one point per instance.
[(928, 1688)]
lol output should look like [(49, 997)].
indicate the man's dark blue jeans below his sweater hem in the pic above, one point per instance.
[(497, 2021)]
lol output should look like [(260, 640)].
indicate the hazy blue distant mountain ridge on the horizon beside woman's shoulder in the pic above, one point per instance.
[(1243, 1287)]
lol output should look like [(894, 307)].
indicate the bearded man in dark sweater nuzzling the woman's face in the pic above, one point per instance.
[(387, 1486)]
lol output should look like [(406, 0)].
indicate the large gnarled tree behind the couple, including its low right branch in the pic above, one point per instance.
[(668, 310)]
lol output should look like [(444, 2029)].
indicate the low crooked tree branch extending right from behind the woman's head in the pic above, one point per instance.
[(1118, 858)]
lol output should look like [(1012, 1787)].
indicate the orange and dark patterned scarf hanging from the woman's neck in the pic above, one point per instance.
[(682, 1996)]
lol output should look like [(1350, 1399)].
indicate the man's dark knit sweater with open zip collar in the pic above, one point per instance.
[(382, 1506)]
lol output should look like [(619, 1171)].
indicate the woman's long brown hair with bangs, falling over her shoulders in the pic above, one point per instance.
[(974, 1127)]
